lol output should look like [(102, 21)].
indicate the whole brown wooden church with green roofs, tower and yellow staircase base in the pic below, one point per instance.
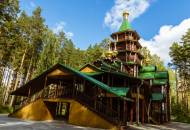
[(111, 92)]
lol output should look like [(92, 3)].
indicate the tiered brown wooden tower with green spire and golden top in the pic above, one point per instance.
[(126, 43)]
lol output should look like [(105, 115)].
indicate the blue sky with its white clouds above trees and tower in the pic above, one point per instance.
[(159, 22)]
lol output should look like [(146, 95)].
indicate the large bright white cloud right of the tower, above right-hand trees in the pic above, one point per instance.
[(168, 34)]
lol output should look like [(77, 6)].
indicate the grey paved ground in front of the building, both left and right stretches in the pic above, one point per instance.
[(7, 123)]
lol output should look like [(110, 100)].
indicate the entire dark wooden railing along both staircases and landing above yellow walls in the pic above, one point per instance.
[(90, 102)]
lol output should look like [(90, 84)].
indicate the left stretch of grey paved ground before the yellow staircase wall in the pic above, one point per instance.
[(7, 123)]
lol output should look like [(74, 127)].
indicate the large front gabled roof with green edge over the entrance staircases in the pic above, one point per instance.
[(37, 84)]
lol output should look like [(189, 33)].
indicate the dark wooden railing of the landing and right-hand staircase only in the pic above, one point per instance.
[(90, 102)]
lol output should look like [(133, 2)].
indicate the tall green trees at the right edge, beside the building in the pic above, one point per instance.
[(180, 54)]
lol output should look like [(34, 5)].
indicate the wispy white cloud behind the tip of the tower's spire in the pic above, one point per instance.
[(135, 8)]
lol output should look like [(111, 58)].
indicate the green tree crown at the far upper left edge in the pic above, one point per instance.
[(8, 29)]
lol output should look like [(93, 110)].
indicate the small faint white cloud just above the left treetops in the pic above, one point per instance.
[(61, 27)]
